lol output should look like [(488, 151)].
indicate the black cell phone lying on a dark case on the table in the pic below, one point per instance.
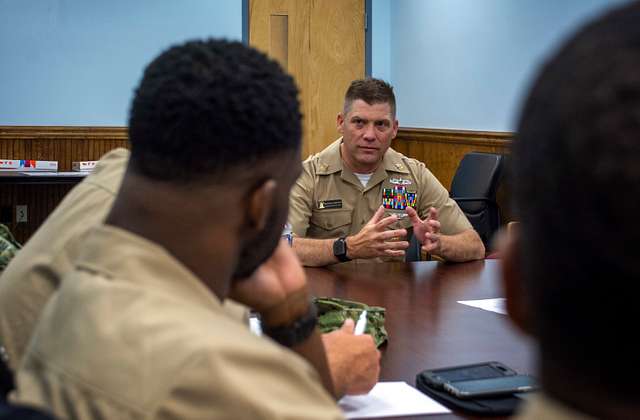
[(436, 378)]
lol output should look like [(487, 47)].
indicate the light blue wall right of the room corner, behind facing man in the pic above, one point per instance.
[(465, 64)]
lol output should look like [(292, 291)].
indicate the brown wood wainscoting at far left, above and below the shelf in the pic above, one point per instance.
[(63, 144)]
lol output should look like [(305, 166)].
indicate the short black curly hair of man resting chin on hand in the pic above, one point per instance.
[(204, 108)]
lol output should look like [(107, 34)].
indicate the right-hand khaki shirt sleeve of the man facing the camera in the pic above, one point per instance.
[(434, 194)]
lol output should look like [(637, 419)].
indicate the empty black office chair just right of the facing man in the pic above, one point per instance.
[(474, 188)]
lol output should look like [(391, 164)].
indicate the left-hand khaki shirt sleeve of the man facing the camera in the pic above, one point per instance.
[(301, 200)]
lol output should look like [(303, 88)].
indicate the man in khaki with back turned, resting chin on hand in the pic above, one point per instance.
[(136, 329)]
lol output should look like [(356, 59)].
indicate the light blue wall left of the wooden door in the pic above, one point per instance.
[(76, 62)]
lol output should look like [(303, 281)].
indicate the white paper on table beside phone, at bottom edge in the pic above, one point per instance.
[(389, 399)]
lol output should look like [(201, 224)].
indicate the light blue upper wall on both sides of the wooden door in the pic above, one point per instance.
[(454, 63)]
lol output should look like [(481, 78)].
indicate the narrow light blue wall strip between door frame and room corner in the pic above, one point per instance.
[(381, 39)]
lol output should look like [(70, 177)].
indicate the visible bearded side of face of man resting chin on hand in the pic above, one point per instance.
[(286, 169)]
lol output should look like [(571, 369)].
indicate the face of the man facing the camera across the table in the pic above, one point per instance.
[(367, 131)]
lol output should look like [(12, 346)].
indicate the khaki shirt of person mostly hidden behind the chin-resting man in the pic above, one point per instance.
[(35, 272)]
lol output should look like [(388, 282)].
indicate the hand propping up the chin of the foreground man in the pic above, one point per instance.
[(277, 289)]
